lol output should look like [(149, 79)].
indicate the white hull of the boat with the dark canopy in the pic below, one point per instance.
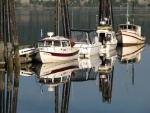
[(87, 49)]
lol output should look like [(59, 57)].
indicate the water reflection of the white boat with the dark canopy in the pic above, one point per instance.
[(88, 69)]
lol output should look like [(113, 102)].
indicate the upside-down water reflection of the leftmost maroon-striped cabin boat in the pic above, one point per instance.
[(54, 74)]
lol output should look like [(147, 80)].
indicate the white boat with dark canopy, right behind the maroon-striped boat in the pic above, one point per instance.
[(86, 42)]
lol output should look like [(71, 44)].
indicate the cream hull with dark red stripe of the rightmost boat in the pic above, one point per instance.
[(128, 37)]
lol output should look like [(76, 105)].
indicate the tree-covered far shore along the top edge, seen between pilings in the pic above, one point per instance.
[(71, 3)]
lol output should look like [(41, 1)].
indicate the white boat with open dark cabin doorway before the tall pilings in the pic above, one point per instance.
[(107, 38)]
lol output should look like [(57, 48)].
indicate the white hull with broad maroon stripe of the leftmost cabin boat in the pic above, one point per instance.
[(46, 57)]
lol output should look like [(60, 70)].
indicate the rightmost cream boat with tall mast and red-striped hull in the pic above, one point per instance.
[(129, 34)]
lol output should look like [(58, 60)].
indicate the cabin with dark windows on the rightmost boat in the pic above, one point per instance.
[(132, 27)]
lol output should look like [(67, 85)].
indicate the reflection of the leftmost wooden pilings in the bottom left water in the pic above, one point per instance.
[(9, 85)]
